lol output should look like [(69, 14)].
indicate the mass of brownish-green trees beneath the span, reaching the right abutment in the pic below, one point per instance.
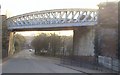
[(52, 45)]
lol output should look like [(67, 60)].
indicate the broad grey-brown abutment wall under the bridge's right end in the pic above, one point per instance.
[(83, 42)]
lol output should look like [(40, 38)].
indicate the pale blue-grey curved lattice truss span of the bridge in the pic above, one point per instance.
[(54, 18)]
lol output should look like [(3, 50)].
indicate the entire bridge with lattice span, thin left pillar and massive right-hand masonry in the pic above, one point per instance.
[(93, 30)]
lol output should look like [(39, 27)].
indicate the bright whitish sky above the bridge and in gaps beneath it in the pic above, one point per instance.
[(17, 7)]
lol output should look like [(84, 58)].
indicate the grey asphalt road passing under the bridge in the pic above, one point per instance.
[(26, 62)]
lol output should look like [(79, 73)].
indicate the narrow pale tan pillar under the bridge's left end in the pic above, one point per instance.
[(11, 48)]
